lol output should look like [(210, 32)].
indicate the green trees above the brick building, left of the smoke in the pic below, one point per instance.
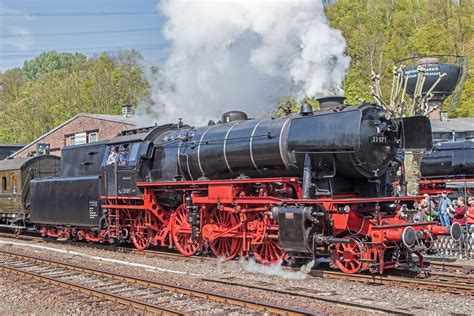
[(53, 87)]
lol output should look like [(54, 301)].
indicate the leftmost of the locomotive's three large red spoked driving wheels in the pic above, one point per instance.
[(181, 232)]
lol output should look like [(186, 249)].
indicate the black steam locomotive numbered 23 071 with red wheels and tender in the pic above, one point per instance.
[(313, 184)]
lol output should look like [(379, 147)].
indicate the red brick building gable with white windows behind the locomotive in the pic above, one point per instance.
[(82, 128)]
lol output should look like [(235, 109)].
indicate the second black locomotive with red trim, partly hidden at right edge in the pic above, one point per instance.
[(448, 167)]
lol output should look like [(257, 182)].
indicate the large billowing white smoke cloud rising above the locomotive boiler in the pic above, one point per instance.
[(243, 55)]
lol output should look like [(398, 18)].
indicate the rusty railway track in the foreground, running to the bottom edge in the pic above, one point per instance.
[(146, 295)]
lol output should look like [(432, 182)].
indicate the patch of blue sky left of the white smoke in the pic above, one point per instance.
[(29, 27)]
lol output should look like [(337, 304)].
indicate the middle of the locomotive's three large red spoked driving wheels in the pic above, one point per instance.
[(225, 247)]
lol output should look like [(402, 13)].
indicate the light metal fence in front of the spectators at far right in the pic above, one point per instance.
[(464, 248)]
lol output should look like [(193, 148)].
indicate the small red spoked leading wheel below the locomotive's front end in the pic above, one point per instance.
[(349, 255)]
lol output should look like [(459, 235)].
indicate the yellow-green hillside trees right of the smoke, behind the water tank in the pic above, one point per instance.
[(381, 32)]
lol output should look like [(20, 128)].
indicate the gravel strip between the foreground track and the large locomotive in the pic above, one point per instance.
[(191, 273)]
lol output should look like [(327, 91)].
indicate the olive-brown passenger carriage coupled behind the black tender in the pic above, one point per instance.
[(16, 176)]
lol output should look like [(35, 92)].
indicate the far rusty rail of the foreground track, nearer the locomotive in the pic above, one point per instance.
[(221, 298)]
